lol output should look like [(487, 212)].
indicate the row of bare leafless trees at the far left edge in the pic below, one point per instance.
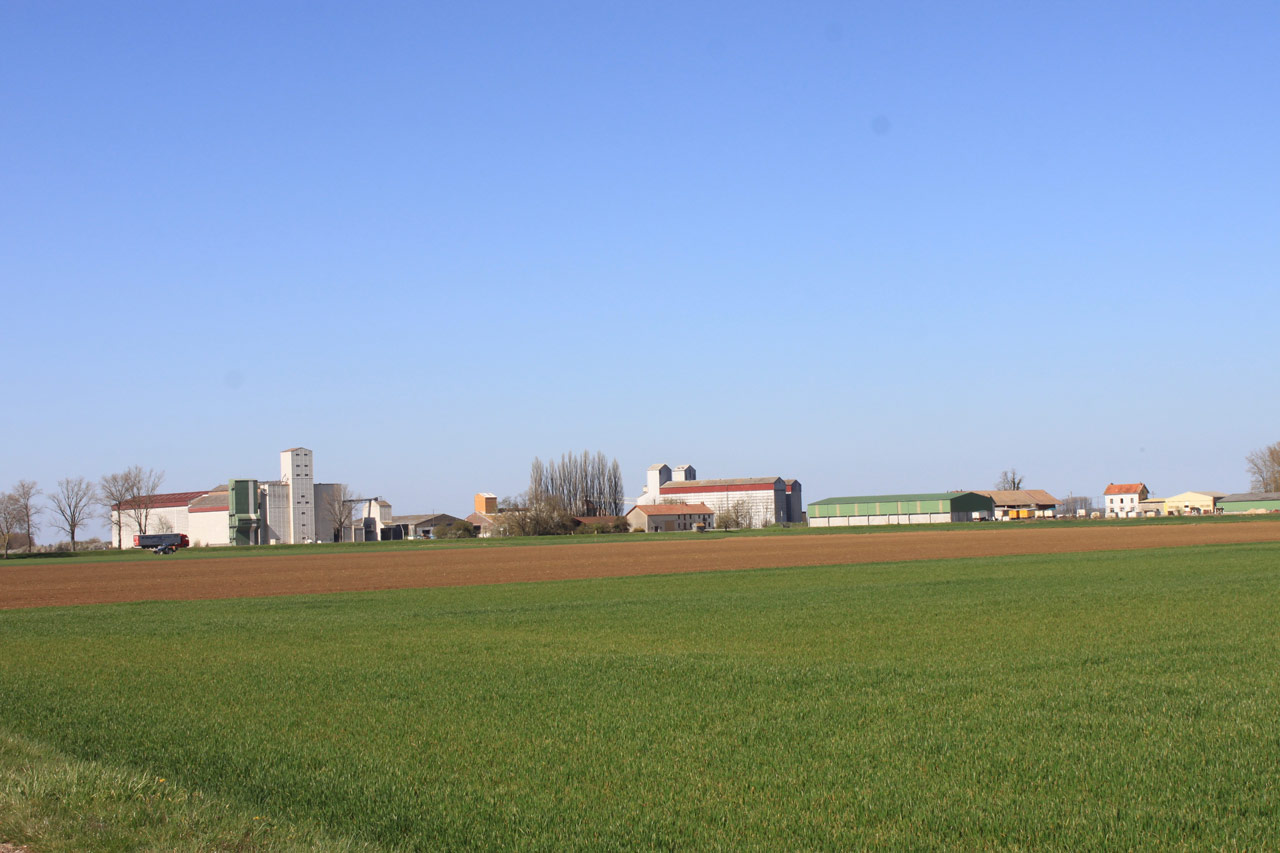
[(76, 503)]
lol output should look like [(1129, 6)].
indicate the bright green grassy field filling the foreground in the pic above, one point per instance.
[(1098, 701)]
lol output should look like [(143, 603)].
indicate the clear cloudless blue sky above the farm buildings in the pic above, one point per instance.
[(879, 248)]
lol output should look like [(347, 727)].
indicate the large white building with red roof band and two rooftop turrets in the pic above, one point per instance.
[(769, 500)]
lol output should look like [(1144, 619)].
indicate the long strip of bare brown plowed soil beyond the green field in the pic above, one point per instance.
[(29, 585)]
